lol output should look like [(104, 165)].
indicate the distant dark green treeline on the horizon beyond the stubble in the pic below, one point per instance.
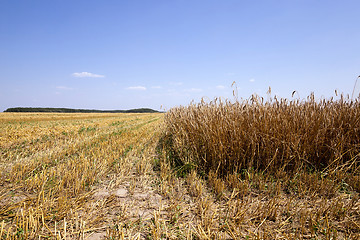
[(70, 110)]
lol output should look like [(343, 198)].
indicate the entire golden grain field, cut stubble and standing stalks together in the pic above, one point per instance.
[(219, 170)]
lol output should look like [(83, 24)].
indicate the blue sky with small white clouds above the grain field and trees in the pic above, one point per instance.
[(122, 54)]
